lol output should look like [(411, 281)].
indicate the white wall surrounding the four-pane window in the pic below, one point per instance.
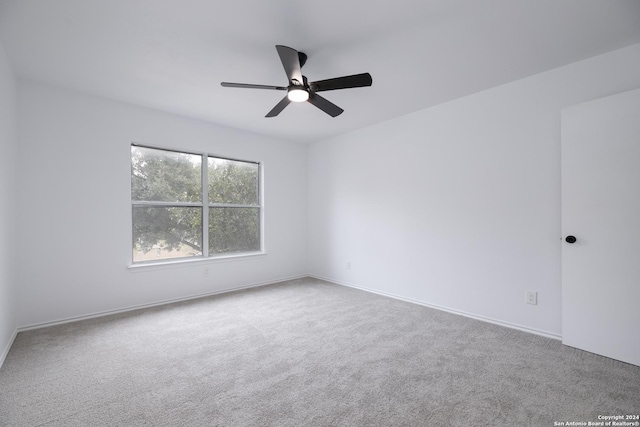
[(74, 206)]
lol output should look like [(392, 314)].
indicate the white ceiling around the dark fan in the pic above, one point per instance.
[(173, 54)]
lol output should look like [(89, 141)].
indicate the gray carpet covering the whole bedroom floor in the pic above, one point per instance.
[(303, 353)]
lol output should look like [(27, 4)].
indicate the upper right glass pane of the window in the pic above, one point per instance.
[(233, 182)]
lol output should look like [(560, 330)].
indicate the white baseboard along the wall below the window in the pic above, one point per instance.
[(154, 304)]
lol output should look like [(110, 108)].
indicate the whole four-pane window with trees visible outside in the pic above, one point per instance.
[(193, 205)]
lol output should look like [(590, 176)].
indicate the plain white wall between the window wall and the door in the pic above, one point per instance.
[(458, 206)]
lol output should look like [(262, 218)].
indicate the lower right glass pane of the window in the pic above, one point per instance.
[(234, 230)]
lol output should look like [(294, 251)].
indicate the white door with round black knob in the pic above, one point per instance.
[(601, 209)]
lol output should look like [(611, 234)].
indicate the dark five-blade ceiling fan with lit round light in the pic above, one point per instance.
[(300, 90)]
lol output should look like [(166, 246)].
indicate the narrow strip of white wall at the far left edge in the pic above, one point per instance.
[(8, 160)]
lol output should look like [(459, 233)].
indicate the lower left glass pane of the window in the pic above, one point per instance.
[(166, 232)]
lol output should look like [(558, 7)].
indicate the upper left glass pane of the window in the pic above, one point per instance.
[(165, 176)]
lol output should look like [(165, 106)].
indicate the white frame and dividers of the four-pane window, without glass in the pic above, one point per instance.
[(205, 207)]
